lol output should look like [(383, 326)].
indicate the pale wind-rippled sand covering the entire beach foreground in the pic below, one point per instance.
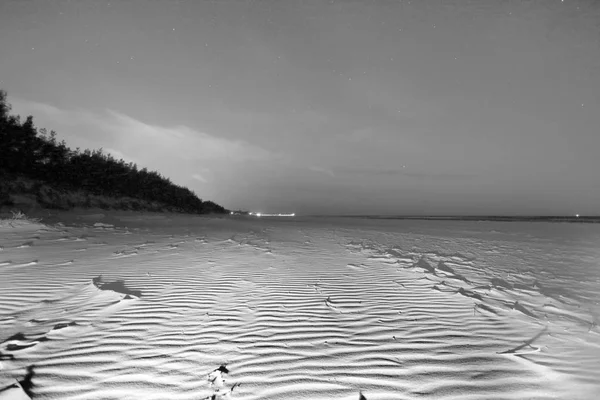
[(132, 306)]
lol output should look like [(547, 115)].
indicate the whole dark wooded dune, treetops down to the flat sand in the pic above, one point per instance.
[(60, 177)]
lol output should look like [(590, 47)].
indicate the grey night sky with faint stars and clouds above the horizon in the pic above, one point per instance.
[(418, 107)]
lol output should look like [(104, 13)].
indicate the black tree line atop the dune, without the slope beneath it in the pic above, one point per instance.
[(39, 155)]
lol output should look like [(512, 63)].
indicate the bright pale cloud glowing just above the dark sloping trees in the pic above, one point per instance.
[(184, 154)]
